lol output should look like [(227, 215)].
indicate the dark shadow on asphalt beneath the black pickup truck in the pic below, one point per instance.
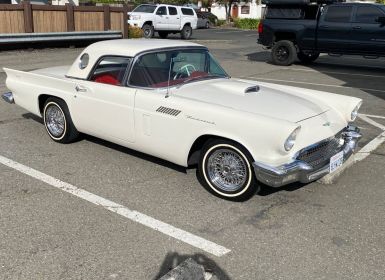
[(354, 74)]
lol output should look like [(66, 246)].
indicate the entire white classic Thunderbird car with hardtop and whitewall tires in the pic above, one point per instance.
[(171, 99)]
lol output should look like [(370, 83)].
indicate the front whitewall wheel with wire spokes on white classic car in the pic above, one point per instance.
[(225, 169)]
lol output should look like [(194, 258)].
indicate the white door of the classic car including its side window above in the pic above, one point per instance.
[(101, 105)]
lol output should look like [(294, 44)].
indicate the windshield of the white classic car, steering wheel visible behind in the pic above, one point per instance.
[(161, 69)]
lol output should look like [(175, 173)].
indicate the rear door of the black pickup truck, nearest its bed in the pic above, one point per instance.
[(334, 30)]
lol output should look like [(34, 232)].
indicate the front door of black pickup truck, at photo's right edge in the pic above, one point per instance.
[(368, 34)]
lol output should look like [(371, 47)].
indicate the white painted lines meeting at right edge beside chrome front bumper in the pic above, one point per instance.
[(360, 155)]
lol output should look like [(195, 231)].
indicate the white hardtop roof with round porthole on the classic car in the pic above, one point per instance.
[(122, 47)]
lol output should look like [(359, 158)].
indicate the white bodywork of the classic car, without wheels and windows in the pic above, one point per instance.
[(166, 122)]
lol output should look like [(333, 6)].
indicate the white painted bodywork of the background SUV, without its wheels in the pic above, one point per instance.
[(165, 22)]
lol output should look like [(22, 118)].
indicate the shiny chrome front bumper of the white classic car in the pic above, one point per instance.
[(301, 171)]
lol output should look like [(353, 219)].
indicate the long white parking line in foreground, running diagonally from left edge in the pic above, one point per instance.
[(135, 216)]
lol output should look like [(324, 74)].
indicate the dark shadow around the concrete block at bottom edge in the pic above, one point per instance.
[(173, 259)]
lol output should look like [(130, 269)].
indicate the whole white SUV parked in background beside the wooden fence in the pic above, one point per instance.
[(164, 19)]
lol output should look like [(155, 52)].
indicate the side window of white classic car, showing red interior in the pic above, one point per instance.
[(110, 70)]
